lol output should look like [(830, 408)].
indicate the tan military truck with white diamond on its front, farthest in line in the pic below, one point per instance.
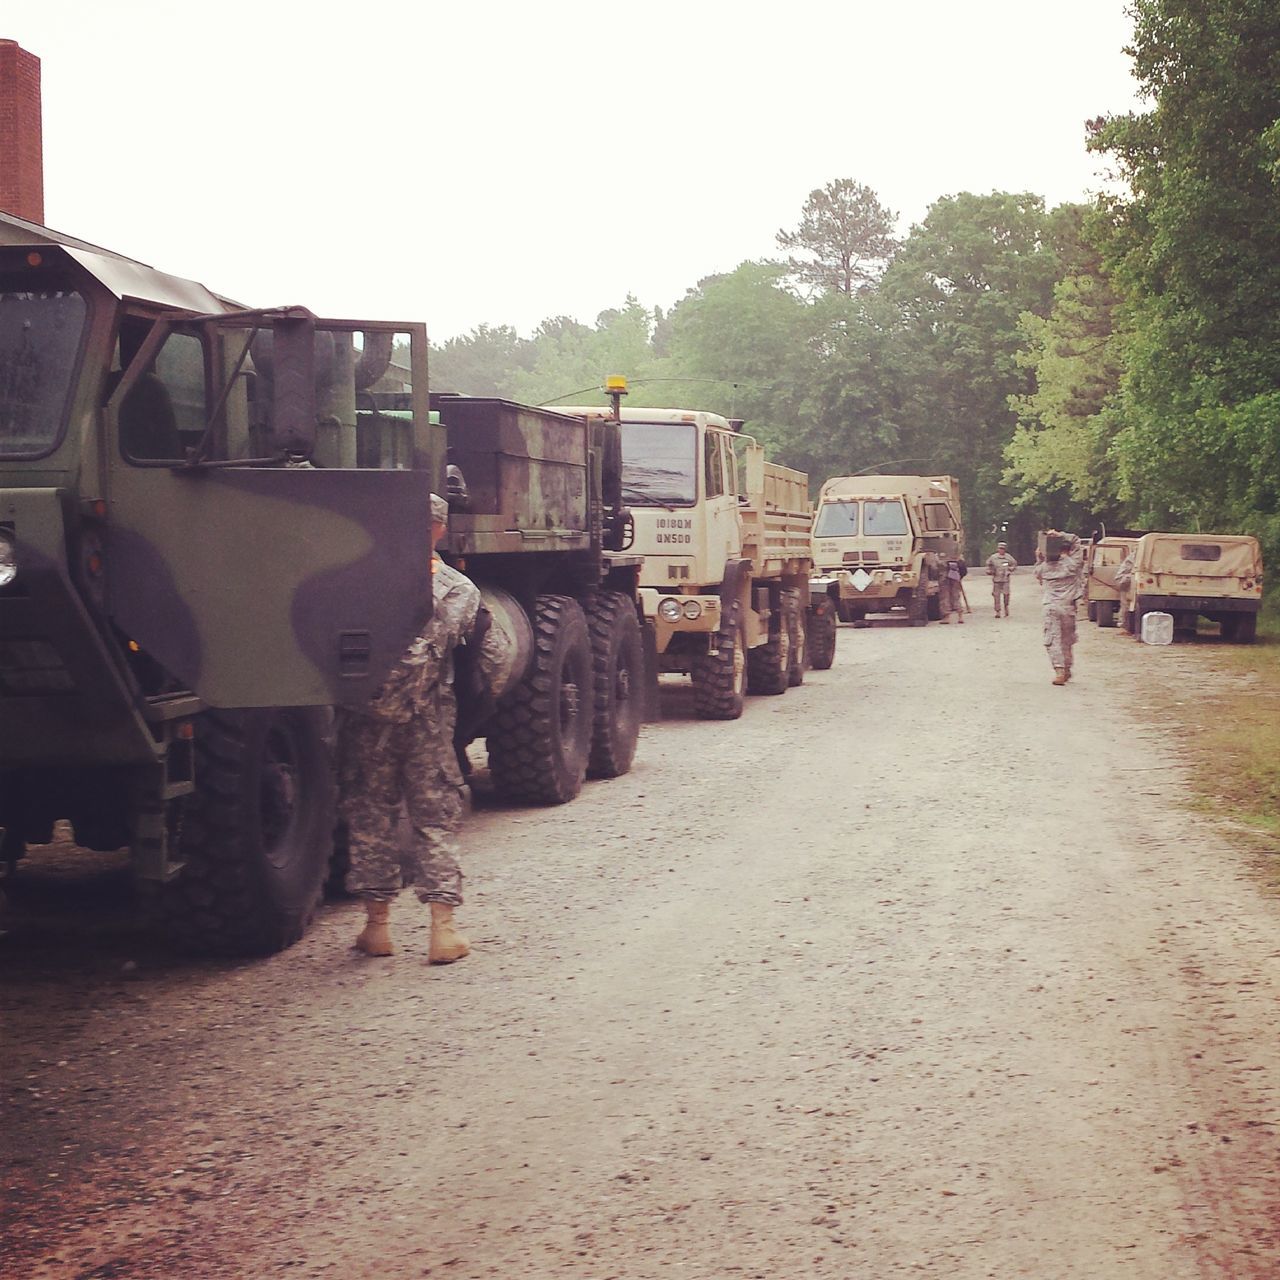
[(880, 543)]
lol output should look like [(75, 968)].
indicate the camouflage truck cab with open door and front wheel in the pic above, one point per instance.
[(198, 563)]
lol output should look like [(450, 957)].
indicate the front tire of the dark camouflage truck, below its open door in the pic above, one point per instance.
[(257, 836)]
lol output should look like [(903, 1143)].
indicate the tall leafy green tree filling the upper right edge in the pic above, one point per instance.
[(1195, 250)]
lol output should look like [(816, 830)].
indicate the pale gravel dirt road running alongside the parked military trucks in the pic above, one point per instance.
[(917, 971)]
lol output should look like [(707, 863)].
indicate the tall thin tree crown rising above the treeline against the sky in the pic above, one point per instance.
[(844, 240)]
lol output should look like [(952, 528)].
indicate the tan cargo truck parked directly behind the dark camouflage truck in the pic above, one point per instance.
[(725, 540)]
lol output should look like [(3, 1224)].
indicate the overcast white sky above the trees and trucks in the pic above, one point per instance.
[(500, 163)]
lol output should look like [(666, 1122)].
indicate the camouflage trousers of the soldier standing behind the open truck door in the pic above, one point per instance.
[(383, 767)]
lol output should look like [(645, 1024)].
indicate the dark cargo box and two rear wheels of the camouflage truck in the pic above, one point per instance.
[(538, 523)]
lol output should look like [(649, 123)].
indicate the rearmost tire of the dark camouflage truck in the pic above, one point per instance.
[(618, 657)]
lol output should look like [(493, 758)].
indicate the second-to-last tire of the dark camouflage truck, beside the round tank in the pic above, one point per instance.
[(541, 737)]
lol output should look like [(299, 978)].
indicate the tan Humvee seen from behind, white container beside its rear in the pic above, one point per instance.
[(1196, 575)]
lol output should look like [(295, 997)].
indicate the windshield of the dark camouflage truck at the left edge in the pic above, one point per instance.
[(40, 339)]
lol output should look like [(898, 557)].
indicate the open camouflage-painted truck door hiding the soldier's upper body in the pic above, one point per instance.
[(253, 578)]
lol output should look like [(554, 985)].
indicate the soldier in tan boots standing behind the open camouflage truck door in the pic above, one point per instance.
[(400, 751)]
